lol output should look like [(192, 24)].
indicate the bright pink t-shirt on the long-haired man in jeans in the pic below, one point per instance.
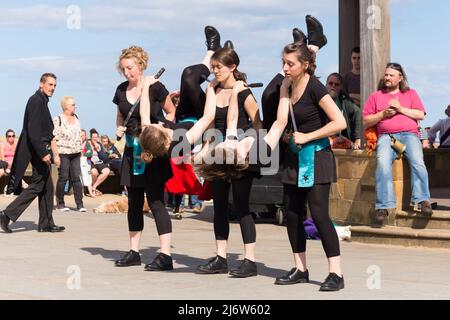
[(379, 101)]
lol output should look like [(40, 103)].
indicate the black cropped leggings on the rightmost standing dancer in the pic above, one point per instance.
[(317, 198)]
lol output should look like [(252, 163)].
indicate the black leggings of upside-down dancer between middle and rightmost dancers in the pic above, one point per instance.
[(270, 100)]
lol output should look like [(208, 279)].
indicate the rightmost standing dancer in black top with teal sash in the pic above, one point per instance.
[(308, 173)]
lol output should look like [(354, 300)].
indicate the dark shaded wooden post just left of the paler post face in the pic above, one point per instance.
[(349, 34)]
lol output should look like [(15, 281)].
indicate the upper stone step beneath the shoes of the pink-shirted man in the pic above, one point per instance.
[(438, 220)]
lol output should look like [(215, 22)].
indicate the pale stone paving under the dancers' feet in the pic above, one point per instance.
[(78, 263)]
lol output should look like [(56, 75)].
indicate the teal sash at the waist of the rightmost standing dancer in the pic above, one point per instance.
[(306, 156)]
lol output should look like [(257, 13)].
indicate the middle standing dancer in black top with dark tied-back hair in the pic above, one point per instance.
[(231, 91)]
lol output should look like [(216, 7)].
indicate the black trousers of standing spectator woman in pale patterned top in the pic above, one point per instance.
[(70, 167)]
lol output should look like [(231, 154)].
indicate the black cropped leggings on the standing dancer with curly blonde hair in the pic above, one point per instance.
[(155, 199)]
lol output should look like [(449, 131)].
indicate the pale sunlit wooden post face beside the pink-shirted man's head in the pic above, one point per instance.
[(375, 29)]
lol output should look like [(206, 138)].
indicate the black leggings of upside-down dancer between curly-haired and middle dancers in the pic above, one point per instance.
[(192, 97)]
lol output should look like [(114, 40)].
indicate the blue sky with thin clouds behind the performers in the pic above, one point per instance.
[(36, 39)]
